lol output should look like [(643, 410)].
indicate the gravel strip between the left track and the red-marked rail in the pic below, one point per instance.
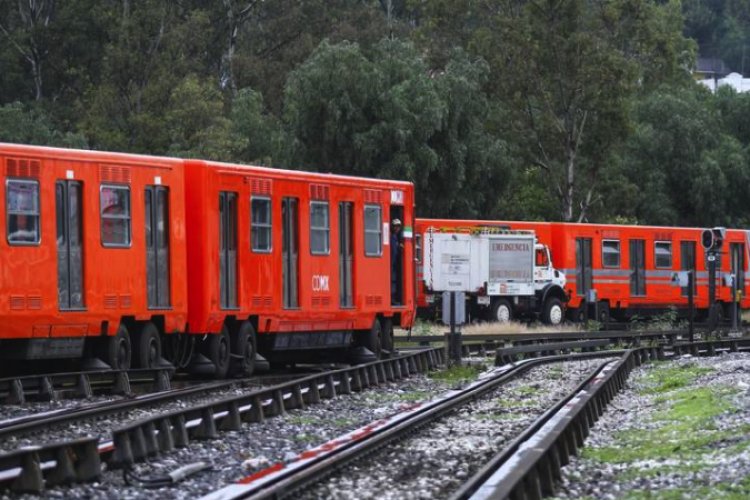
[(236, 454)]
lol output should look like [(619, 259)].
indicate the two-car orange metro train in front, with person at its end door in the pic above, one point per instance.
[(136, 259)]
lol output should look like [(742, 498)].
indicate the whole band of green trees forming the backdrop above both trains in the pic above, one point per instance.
[(495, 109)]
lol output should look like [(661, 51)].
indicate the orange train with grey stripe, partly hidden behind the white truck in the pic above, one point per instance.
[(630, 268)]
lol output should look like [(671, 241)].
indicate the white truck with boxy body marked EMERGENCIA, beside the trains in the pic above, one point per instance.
[(506, 274)]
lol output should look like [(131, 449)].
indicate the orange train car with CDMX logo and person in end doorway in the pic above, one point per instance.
[(290, 262)]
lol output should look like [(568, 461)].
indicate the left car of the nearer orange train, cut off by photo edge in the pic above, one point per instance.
[(93, 255)]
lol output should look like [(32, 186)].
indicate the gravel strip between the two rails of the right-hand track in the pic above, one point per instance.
[(439, 458)]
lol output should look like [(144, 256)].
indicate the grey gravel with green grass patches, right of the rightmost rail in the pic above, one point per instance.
[(679, 429)]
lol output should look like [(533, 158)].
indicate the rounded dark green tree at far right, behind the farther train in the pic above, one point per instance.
[(690, 171)]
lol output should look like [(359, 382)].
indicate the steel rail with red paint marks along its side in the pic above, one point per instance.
[(283, 480)]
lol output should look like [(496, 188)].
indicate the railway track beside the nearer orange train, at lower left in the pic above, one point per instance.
[(80, 459)]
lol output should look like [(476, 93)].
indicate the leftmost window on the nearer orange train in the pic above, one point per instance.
[(22, 212)]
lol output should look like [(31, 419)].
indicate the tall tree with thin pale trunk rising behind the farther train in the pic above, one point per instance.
[(567, 71)]
